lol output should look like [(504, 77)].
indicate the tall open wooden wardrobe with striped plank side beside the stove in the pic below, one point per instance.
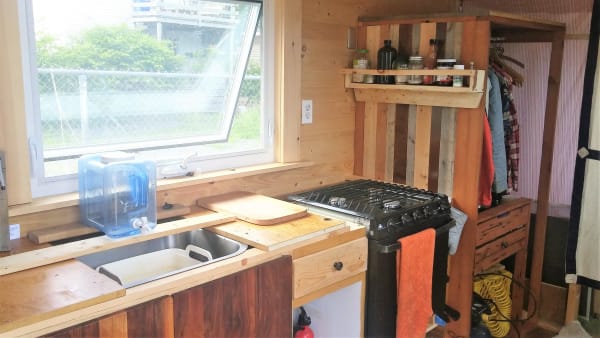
[(431, 138)]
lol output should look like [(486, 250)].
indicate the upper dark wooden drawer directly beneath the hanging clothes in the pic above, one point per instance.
[(503, 222)]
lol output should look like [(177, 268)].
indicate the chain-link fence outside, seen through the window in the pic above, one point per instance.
[(84, 108)]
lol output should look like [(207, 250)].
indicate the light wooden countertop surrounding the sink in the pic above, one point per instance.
[(37, 320)]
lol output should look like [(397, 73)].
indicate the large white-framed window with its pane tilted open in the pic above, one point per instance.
[(170, 80)]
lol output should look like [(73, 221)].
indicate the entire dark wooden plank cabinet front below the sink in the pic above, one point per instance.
[(256, 302)]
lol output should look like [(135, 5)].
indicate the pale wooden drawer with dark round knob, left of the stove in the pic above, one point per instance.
[(329, 266)]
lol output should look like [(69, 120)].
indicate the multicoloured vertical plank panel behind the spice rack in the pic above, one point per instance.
[(408, 144)]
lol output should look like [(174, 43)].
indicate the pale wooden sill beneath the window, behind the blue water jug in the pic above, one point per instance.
[(72, 199)]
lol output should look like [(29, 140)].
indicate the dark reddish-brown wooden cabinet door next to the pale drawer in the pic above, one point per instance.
[(256, 302)]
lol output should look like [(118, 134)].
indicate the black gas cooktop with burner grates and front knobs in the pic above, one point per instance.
[(388, 210)]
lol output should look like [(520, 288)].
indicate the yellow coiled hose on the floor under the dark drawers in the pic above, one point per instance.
[(497, 289)]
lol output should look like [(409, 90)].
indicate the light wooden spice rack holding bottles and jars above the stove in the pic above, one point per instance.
[(425, 95)]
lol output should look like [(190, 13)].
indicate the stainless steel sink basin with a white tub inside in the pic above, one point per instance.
[(143, 262)]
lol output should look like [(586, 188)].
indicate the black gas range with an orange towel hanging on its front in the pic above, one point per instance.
[(388, 211)]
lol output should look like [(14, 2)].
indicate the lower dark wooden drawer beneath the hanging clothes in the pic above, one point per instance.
[(501, 248)]
